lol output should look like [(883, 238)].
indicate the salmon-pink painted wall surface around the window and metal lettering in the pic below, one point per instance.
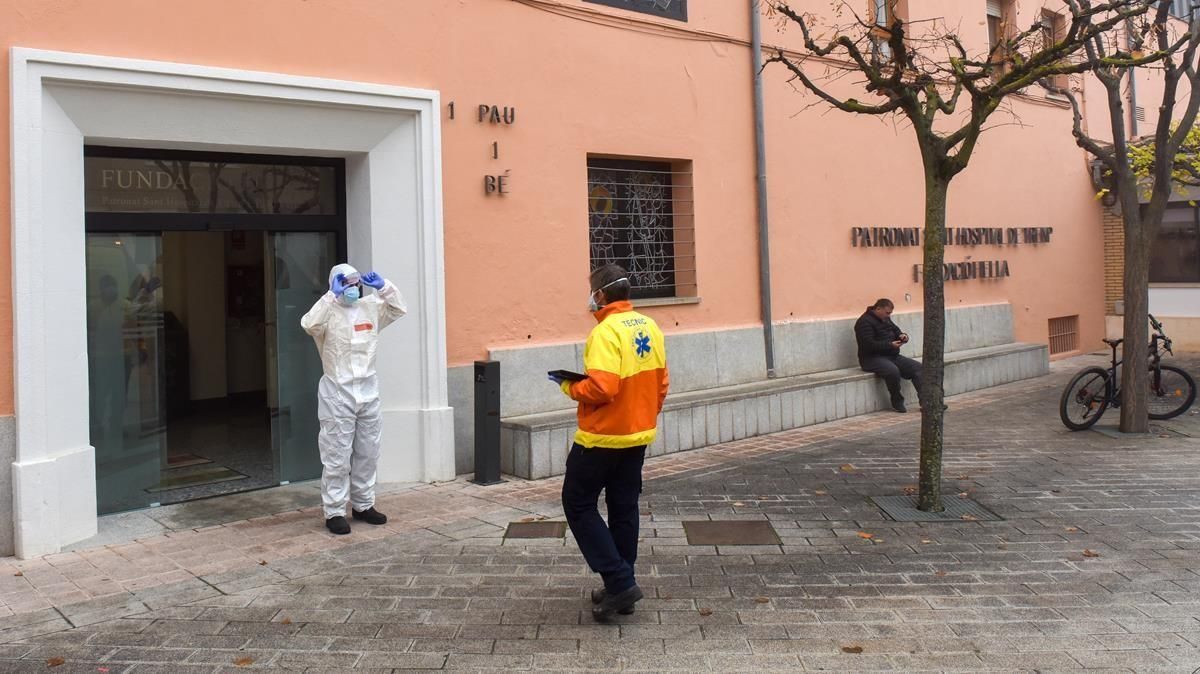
[(517, 264)]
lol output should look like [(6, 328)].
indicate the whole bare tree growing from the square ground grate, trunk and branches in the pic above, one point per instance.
[(947, 94)]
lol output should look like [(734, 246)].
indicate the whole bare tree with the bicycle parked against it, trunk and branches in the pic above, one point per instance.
[(1143, 168)]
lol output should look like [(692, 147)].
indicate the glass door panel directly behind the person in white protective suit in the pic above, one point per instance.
[(297, 264)]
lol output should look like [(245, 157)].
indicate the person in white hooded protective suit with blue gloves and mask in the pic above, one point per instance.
[(346, 327)]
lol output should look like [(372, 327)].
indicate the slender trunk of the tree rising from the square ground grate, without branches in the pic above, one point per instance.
[(934, 352)]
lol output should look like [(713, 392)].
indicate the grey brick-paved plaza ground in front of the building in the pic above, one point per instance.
[(1095, 565)]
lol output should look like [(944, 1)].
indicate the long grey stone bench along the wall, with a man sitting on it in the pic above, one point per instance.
[(536, 446)]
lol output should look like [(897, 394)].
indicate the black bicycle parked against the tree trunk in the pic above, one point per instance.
[(1095, 389)]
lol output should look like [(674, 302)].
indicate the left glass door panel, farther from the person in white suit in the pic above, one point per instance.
[(127, 368)]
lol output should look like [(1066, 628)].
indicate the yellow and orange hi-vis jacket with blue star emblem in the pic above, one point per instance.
[(626, 360)]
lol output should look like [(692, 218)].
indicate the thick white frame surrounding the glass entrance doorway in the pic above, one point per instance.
[(391, 139)]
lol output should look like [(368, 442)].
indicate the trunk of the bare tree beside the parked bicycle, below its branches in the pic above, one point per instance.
[(1135, 371)]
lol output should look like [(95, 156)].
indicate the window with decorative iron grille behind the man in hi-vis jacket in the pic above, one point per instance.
[(640, 218)]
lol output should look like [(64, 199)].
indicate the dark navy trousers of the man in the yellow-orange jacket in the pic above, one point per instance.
[(609, 550)]
